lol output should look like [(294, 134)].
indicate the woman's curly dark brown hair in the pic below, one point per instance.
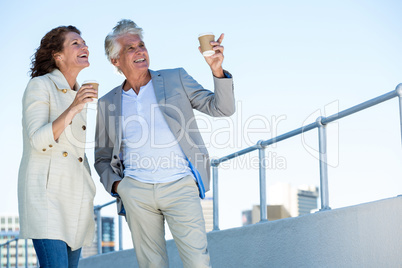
[(43, 61)]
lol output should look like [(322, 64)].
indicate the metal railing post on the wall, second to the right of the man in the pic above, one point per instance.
[(263, 182)]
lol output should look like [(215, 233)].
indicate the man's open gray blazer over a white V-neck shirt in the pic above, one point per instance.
[(177, 94)]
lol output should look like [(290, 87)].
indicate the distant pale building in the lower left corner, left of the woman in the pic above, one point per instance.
[(9, 229)]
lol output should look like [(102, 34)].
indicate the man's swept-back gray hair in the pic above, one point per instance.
[(112, 46)]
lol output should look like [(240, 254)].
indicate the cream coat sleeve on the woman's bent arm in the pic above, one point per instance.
[(36, 113)]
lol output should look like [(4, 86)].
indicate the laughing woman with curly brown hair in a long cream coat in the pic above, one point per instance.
[(55, 188)]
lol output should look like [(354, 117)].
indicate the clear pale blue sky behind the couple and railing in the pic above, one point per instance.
[(289, 59)]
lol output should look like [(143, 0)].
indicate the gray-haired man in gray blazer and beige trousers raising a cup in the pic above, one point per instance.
[(149, 153)]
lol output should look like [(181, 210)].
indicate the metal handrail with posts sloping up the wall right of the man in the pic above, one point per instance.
[(320, 123)]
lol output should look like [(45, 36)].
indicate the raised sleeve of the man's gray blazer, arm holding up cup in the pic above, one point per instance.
[(219, 103)]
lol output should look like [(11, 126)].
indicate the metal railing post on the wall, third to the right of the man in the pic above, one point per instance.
[(322, 137)]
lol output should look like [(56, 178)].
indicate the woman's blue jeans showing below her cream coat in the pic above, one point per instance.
[(55, 254)]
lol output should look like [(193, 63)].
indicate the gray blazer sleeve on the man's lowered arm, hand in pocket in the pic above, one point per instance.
[(104, 151)]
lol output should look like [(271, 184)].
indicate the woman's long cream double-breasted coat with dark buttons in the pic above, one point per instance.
[(55, 188)]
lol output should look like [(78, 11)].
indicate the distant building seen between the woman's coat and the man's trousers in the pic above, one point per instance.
[(108, 243)]
